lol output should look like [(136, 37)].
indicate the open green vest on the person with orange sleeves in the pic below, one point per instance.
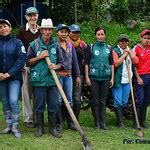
[(118, 71)]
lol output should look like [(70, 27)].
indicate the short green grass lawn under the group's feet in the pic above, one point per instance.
[(71, 140)]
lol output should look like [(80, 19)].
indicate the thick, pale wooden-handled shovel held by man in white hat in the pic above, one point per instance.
[(85, 141)]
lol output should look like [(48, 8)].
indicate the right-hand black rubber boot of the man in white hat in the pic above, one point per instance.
[(52, 124)]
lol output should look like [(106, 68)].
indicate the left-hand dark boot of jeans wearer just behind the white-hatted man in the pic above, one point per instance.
[(60, 121)]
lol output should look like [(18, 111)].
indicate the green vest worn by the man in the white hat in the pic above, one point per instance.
[(40, 73)]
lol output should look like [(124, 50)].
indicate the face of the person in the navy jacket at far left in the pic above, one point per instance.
[(5, 29)]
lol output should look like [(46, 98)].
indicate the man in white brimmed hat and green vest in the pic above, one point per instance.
[(44, 86)]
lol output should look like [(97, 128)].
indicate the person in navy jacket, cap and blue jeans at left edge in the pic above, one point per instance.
[(13, 57)]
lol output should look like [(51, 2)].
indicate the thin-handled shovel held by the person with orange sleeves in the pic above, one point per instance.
[(139, 132)]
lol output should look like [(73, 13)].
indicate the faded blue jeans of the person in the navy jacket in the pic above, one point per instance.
[(10, 91)]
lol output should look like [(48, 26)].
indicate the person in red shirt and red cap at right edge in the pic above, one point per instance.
[(142, 72)]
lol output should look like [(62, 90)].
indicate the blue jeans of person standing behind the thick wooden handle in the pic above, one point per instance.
[(67, 85)]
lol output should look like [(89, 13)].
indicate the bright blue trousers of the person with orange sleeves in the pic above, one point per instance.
[(121, 95)]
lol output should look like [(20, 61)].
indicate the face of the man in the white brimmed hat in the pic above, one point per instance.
[(46, 33)]
